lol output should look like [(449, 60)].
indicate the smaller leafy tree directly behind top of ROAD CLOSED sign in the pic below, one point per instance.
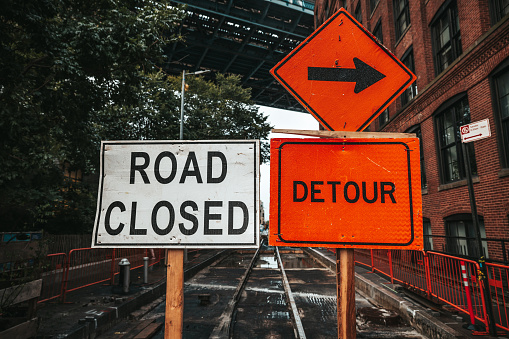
[(219, 109)]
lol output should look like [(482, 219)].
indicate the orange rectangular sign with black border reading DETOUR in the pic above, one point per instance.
[(346, 193)]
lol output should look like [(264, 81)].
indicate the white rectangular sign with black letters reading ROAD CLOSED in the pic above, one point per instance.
[(178, 194)]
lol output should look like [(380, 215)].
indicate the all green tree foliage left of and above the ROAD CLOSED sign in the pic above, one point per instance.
[(73, 73)]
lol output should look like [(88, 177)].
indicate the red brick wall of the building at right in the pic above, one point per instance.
[(484, 48)]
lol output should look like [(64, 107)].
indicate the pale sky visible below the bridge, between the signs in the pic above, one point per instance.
[(281, 119)]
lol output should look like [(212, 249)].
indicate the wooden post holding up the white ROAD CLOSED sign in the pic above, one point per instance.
[(174, 315)]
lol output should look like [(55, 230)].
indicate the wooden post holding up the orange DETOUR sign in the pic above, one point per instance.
[(345, 278)]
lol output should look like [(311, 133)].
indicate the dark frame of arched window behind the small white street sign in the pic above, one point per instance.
[(438, 116)]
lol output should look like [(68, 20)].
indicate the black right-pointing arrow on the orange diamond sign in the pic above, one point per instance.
[(363, 75)]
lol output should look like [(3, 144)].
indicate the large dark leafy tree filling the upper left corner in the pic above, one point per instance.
[(60, 61)]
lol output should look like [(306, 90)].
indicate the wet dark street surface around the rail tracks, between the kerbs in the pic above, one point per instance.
[(263, 310)]
